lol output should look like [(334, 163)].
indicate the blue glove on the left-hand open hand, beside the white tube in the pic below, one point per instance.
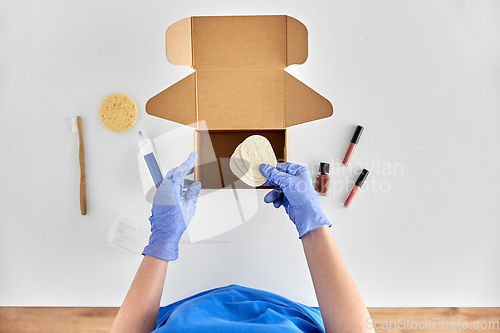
[(173, 209)]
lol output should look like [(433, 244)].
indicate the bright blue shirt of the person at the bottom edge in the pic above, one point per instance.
[(238, 309)]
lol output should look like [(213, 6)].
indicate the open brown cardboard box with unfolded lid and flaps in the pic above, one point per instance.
[(239, 87)]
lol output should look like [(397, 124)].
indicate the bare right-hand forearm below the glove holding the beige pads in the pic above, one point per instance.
[(341, 305)]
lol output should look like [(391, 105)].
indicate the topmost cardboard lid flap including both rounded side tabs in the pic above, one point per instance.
[(237, 42)]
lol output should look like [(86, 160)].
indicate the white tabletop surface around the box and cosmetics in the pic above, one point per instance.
[(423, 78)]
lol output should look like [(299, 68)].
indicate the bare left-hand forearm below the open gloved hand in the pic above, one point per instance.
[(139, 311)]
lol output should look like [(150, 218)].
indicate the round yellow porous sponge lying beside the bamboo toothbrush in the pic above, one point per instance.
[(118, 112)]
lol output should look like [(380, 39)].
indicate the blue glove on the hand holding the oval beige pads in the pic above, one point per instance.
[(294, 191)]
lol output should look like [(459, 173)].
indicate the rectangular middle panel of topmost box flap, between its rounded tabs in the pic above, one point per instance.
[(239, 43)]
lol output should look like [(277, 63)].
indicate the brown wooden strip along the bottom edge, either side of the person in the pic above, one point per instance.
[(97, 320)]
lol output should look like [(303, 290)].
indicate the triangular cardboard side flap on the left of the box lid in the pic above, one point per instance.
[(176, 103)]
